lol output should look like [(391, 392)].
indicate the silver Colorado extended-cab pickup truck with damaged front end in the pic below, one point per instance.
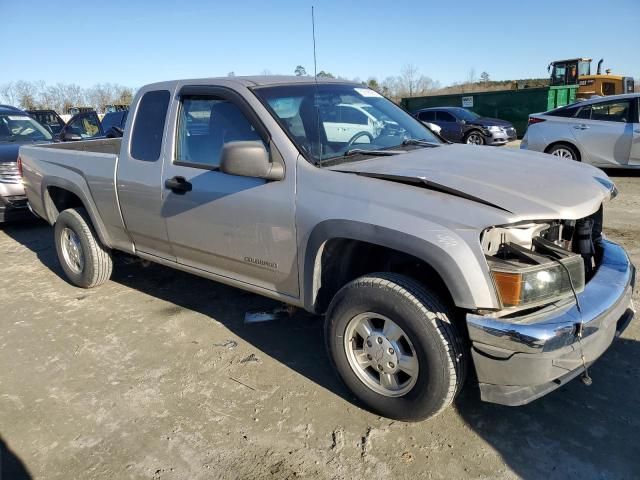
[(426, 258)]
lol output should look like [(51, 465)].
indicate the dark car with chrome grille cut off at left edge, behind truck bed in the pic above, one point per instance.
[(16, 128)]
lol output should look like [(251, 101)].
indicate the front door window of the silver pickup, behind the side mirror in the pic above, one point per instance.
[(205, 124)]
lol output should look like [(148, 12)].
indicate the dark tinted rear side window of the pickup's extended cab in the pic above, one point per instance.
[(146, 138)]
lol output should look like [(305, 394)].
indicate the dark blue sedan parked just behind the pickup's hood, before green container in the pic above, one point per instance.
[(464, 126)]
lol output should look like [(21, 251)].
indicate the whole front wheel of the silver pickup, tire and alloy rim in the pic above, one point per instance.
[(395, 347)]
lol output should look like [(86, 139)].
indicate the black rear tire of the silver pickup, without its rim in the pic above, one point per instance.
[(97, 261)]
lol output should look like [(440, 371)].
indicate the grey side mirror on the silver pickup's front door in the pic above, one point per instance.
[(249, 159)]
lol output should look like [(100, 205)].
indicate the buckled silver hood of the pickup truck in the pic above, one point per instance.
[(528, 185)]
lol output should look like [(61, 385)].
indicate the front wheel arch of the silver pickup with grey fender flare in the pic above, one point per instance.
[(332, 254)]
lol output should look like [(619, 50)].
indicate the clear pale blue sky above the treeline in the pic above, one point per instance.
[(134, 42)]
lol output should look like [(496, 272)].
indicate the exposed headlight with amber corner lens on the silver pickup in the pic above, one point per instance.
[(527, 279)]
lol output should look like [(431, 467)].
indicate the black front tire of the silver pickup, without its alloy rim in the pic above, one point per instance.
[(427, 322)]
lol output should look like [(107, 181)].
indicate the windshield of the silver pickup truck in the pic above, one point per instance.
[(328, 120)]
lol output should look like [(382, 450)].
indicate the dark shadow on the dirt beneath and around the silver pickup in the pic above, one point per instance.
[(574, 432)]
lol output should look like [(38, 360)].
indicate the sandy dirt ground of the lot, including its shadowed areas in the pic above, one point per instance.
[(155, 375)]
